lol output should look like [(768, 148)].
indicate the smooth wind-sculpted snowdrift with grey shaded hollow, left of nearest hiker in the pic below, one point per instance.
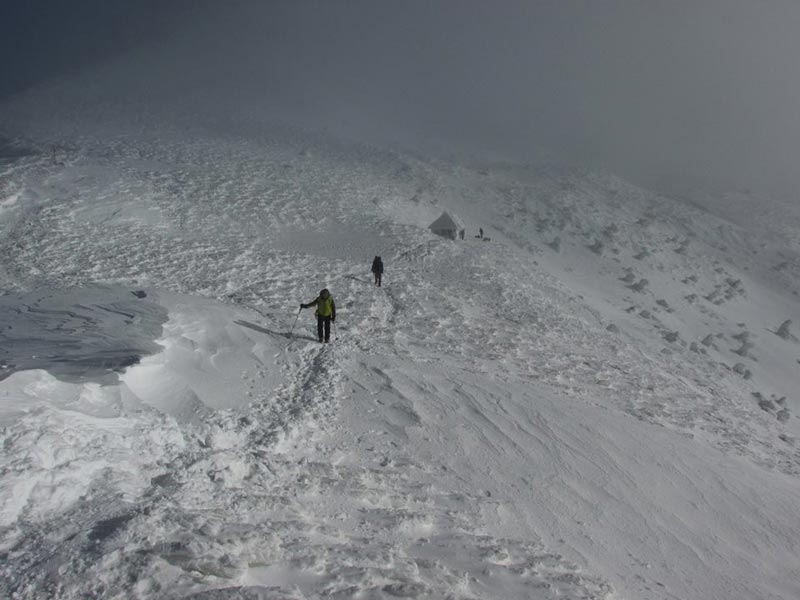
[(99, 346)]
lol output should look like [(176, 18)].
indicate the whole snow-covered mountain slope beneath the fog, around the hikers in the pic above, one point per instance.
[(593, 403)]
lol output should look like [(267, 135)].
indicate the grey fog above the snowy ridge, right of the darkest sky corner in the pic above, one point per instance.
[(666, 93)]
